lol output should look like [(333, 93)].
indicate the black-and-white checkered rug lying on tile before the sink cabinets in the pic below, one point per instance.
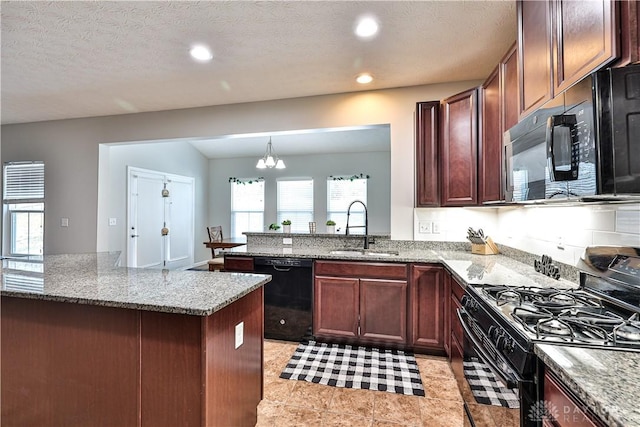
[(348, 366)]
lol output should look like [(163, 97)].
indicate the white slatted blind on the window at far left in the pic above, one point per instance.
[(24, 181)]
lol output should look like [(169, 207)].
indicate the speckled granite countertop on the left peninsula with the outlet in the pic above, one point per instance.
[(97, 279)]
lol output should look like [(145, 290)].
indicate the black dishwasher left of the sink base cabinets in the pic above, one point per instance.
[(287, 297)]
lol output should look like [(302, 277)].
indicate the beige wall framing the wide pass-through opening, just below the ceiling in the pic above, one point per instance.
[(70, 148)]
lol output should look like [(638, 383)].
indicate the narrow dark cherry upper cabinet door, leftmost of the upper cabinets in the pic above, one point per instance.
[(427, 182)]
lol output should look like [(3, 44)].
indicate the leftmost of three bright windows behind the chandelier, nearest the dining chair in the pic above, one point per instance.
[(247, 207)]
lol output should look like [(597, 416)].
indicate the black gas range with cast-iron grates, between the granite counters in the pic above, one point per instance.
[(503, 323)]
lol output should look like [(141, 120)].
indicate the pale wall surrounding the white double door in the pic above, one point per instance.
[(177, 158)]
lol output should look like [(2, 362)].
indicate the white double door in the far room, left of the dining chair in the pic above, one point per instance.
[(160, 219)]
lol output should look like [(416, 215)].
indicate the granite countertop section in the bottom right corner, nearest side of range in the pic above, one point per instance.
[(605, 380)]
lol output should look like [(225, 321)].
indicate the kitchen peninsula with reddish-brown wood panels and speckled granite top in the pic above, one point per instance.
[(85, 342)]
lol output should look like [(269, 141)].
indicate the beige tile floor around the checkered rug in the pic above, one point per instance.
[(298, 403)]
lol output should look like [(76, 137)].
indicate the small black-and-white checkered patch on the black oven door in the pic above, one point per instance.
[(486, 388)]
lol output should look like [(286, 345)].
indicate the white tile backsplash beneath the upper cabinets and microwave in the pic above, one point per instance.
[(561, 232)]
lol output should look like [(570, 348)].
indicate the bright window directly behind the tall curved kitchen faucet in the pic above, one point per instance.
[(340, 194)]
